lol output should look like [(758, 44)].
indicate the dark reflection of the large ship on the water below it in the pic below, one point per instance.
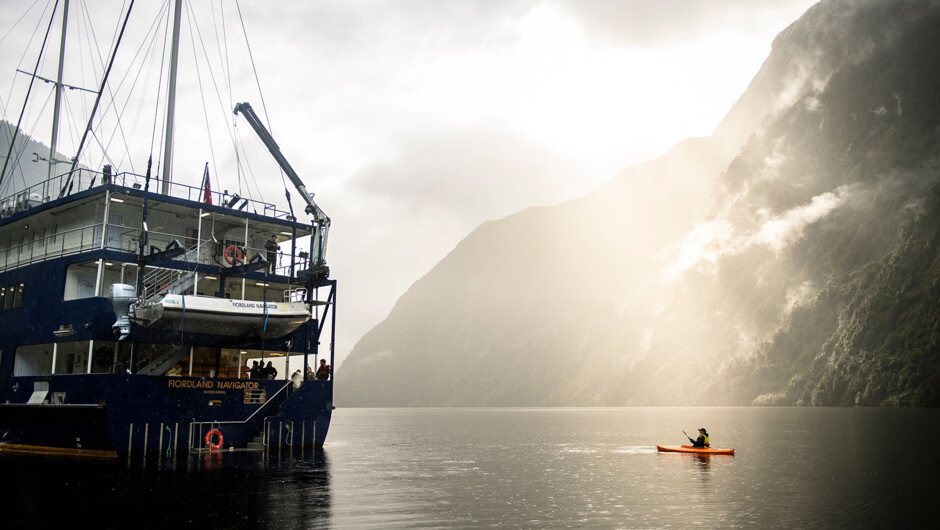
[(290, 488)]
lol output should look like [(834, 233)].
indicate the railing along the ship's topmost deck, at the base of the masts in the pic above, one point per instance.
[(85, 179)]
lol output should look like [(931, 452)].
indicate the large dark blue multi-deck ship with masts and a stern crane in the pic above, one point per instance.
[(132, 309)]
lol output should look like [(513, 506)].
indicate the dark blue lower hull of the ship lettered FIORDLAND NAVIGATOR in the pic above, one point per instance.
[(114, 414)]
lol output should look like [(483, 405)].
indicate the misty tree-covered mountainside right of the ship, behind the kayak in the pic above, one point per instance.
[(790, 258)]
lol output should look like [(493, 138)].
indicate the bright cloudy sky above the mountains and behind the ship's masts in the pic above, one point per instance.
[(416, 120)]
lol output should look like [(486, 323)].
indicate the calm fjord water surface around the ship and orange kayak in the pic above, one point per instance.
[(520, 468)]
